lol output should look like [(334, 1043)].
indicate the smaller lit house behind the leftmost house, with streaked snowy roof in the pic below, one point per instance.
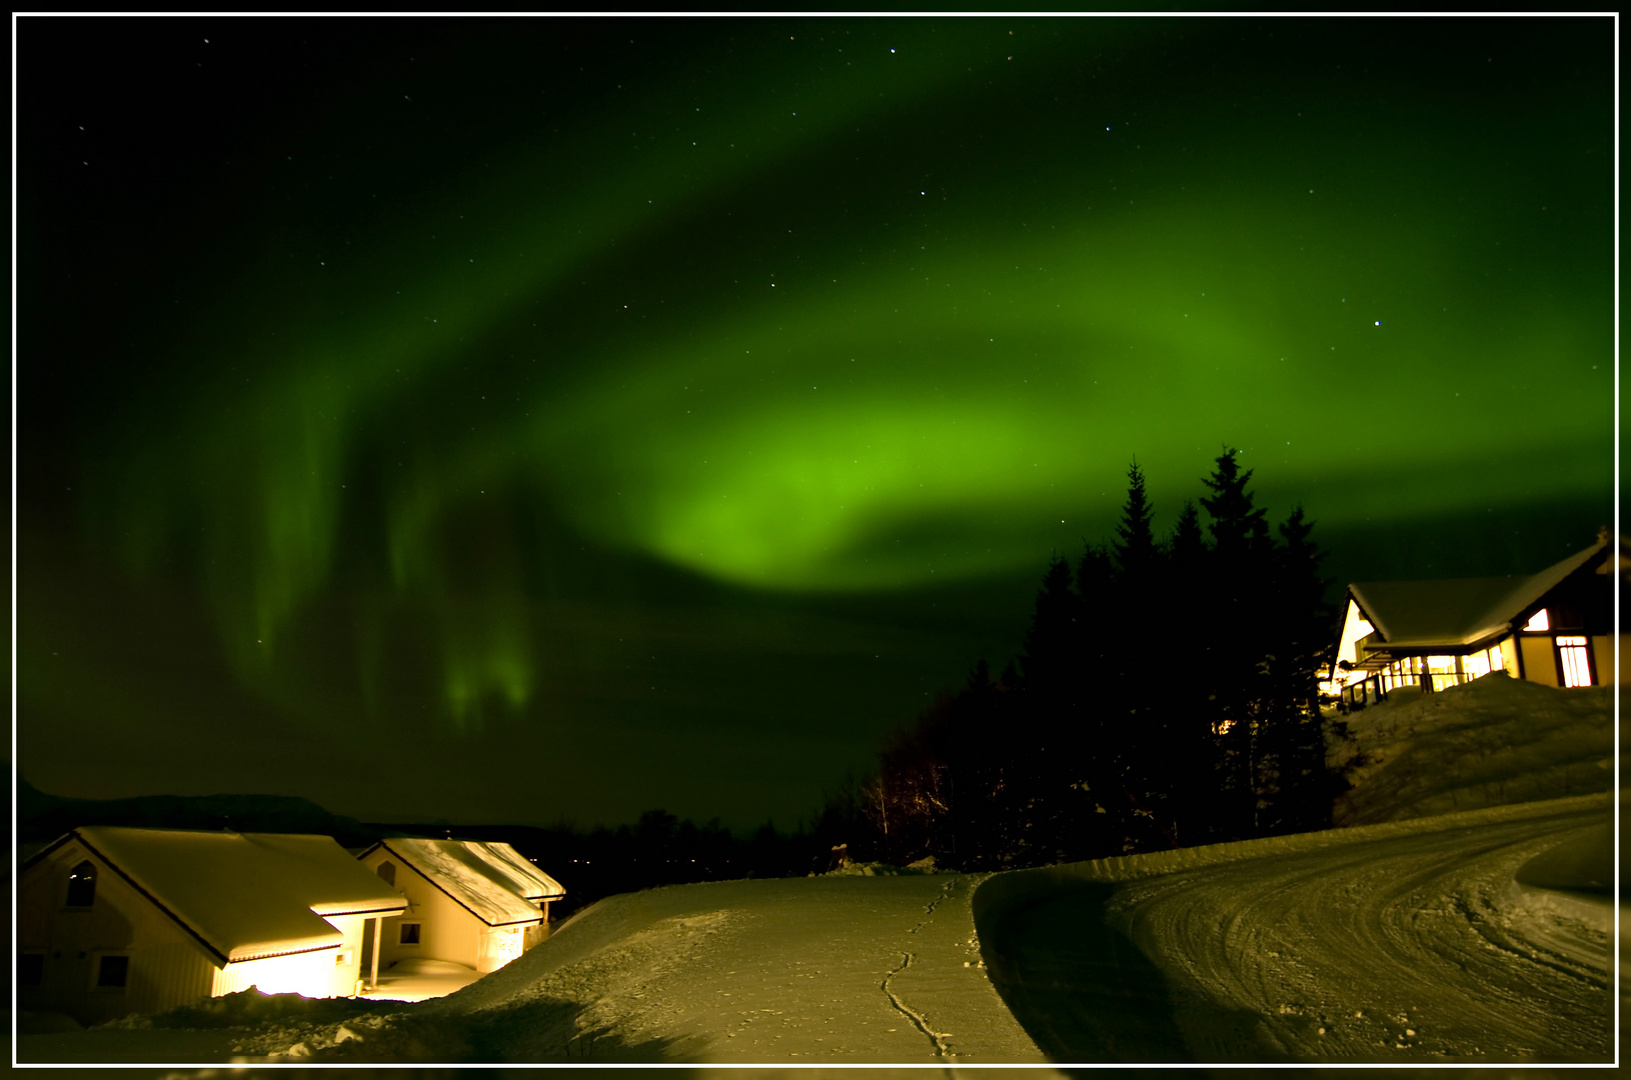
[(472, 903)]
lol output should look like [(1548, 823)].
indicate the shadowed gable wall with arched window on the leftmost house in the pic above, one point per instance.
[(169, 967)]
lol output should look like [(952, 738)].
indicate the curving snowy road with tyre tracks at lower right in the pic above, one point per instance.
[(1392, 945)]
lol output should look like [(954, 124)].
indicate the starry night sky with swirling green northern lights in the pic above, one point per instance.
[(536, 420)]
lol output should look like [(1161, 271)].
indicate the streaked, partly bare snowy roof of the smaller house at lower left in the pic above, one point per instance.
[(490, 880)]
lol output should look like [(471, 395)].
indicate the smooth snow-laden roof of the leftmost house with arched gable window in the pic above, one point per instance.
[(244, 895)]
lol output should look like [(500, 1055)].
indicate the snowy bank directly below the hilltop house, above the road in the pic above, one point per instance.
[(1493, 741)]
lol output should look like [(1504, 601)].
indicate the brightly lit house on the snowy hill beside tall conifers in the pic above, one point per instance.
[(1555, 629)]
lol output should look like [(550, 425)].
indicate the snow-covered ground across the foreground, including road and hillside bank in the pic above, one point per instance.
[(1479, 937)]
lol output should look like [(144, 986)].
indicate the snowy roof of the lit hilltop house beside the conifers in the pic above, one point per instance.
[(1459, 611)]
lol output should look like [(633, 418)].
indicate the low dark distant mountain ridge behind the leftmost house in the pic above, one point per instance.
[(43, 817)]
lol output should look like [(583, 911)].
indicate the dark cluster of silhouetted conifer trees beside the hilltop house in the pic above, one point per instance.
[(1167, 696)]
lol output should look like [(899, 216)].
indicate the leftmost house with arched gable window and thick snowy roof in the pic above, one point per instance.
[(120, 921)]
